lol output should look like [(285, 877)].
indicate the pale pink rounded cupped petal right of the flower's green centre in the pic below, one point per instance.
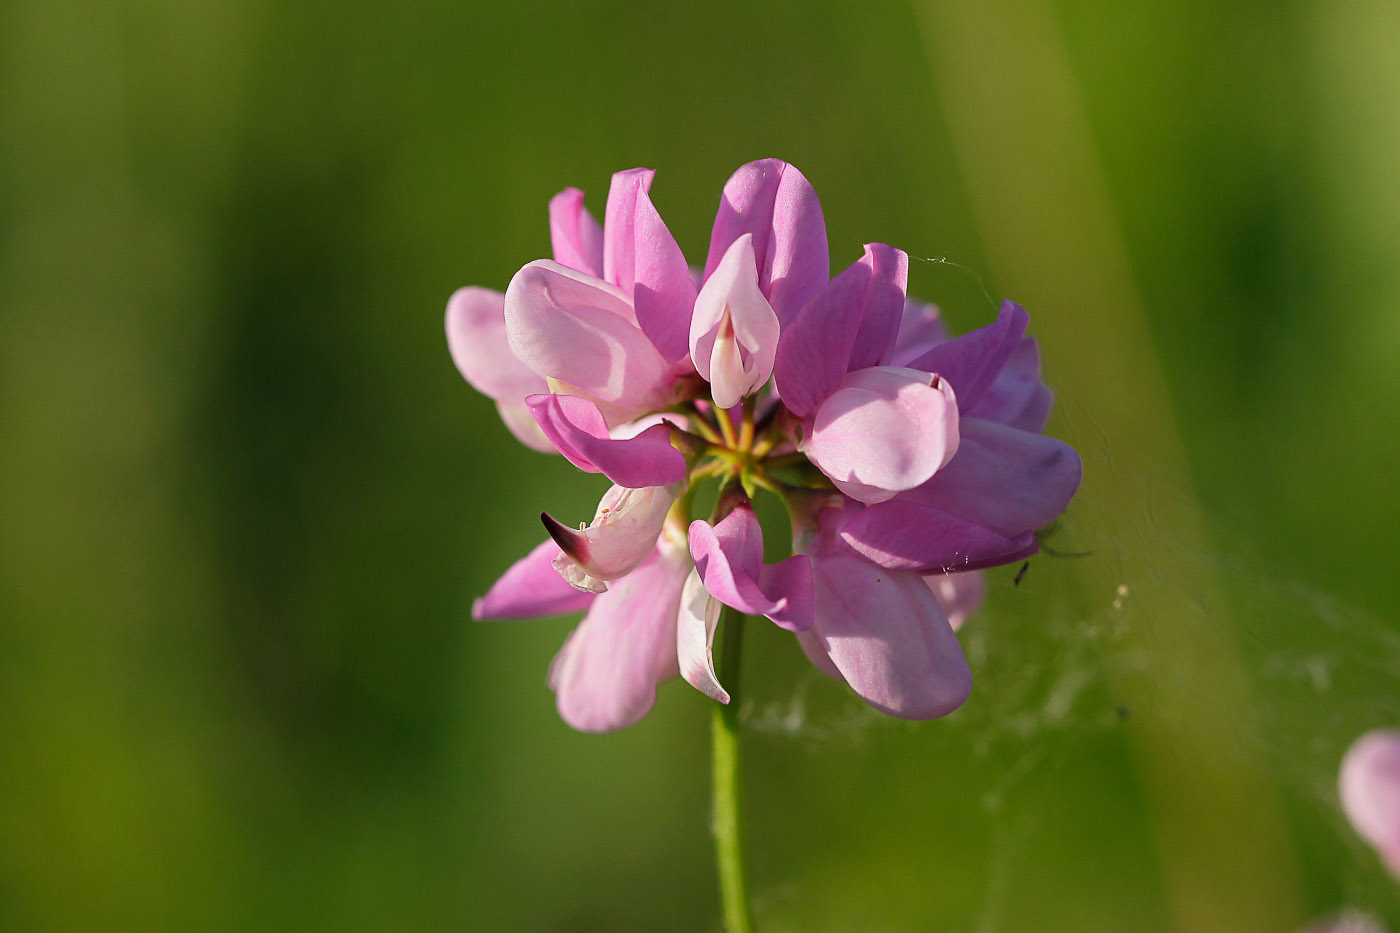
[(885, 431)]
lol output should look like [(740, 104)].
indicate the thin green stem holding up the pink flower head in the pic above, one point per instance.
[(729, 817)]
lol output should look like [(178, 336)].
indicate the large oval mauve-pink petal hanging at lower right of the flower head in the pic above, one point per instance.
[(887, 637)]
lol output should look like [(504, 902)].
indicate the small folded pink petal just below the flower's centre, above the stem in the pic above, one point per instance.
[(730, 561)]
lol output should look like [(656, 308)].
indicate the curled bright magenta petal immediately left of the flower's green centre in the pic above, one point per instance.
[(577, 429)]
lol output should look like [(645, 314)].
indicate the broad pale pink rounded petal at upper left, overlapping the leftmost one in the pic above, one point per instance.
[(580, 331)]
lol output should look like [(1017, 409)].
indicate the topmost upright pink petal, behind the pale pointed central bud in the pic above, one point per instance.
[(772, 201)]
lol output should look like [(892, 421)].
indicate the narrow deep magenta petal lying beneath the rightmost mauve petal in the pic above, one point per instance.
[(906, 536)]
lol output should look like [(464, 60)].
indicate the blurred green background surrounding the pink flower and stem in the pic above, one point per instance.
[(247, 501)]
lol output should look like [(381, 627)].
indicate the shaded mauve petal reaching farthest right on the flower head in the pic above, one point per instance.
[(1004, 478)]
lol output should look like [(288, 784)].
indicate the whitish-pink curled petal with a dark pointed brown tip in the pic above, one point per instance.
[(624, 533)]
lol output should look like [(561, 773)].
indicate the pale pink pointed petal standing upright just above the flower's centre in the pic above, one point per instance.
[(734, 334)]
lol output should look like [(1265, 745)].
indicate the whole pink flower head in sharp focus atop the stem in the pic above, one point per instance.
[(908, 460)]
